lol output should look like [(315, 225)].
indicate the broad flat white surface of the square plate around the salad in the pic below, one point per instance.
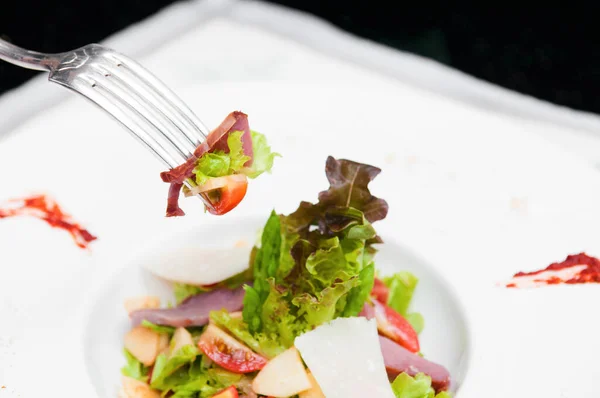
[(453, 176)]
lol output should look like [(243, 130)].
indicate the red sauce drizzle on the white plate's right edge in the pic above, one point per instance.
[(589, 274)]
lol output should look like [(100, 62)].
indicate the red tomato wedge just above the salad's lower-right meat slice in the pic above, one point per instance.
[(395, 327)]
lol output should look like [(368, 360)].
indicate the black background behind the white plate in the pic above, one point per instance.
[(546, 52)]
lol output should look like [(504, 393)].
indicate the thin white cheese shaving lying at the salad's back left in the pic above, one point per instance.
[(199, 266)]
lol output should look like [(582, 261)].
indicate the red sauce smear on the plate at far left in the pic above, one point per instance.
[(44, 208)]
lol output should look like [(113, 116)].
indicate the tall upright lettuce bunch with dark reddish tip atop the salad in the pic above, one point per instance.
[(315, 264)]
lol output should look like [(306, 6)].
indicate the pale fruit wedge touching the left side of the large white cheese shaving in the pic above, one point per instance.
[(282, 376)]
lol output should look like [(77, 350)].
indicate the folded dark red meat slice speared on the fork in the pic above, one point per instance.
[(216, 140)]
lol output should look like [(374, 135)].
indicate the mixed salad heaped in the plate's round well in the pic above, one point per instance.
[(310, 318)]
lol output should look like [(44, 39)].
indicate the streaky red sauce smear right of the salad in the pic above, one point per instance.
[(575, 269)]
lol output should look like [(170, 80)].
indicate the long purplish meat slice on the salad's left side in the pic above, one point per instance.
[(194, 311)]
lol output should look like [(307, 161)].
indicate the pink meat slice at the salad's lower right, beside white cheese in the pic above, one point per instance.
[(398, 359)]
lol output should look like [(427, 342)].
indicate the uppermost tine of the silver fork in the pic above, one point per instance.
[(159, 92)]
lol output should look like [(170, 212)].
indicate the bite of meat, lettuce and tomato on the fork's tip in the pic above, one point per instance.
[(220, 167)]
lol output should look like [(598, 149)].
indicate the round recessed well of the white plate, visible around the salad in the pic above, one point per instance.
[(445, 339)]
